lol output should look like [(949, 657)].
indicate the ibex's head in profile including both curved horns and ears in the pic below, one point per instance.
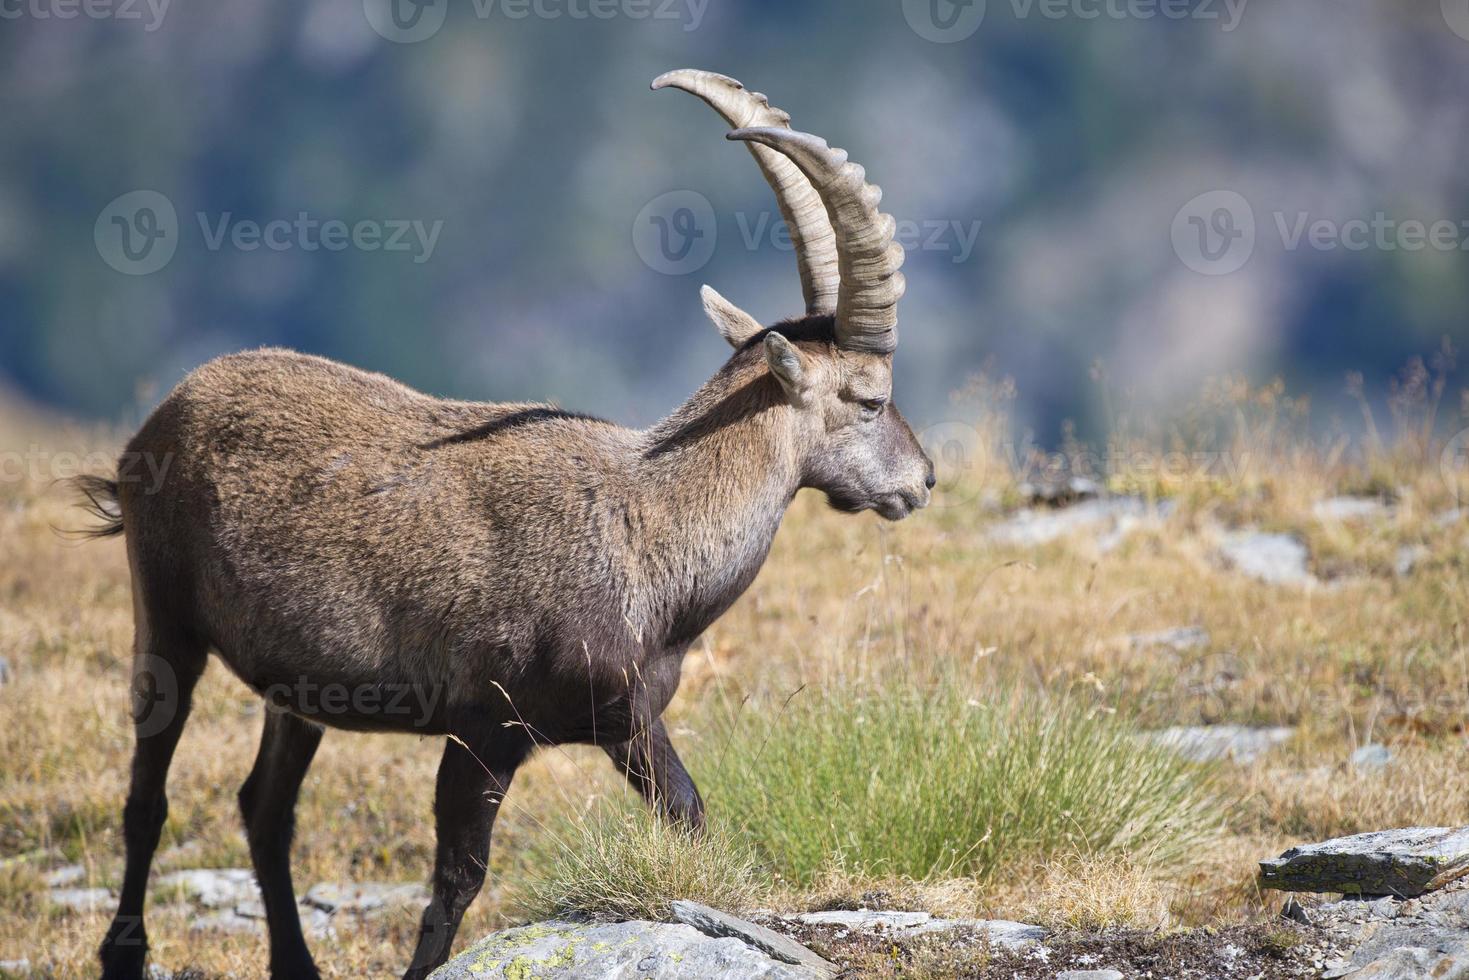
[(837, 364)]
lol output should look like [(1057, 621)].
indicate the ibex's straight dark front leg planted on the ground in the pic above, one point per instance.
[(466, 800)]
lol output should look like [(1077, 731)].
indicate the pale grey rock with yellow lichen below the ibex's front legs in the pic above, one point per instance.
[(591, 951)]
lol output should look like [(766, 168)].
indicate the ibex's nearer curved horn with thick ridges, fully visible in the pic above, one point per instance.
[(872, 284)]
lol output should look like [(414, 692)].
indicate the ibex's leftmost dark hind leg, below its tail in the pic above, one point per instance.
[(165, 668)]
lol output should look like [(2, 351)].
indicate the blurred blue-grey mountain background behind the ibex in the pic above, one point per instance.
[(1042, 156)]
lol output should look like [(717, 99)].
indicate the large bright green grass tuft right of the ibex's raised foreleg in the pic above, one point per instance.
[(953, 785)]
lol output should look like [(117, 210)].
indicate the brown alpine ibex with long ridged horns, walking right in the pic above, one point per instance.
[(534, 575)]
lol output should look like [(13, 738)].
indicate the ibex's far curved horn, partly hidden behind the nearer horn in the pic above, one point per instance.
[(800, 205)]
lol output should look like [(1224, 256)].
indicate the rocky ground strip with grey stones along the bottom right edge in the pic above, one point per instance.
[(1421, 932)]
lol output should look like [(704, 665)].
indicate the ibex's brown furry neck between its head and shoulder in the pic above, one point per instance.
[(718, 478)]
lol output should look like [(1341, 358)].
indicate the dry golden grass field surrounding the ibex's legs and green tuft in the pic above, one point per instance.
[(1362, 656)]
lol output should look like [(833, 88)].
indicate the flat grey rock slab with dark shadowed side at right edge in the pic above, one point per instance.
[(1405, 863)]
